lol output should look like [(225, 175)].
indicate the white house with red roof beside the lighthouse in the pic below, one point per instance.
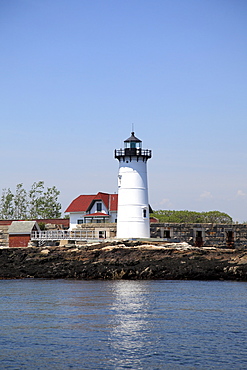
[(95, 208)]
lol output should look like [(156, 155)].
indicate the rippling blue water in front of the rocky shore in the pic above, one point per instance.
[(63, 324)]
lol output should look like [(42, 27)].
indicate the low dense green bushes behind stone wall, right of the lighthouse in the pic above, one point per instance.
[(192, 217)]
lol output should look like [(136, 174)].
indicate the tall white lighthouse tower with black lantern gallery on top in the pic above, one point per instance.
[(133, 206)]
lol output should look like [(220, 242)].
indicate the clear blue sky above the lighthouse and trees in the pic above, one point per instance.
[(77, 75)]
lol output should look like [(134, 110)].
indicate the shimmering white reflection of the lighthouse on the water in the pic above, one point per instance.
[(129, 334)]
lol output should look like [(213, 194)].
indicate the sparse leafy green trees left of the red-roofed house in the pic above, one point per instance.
[(33, 204)]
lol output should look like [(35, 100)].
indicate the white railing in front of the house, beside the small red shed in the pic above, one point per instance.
[(63, 234)]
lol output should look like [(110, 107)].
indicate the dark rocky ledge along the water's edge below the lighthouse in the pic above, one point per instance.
[(125, 260)]
